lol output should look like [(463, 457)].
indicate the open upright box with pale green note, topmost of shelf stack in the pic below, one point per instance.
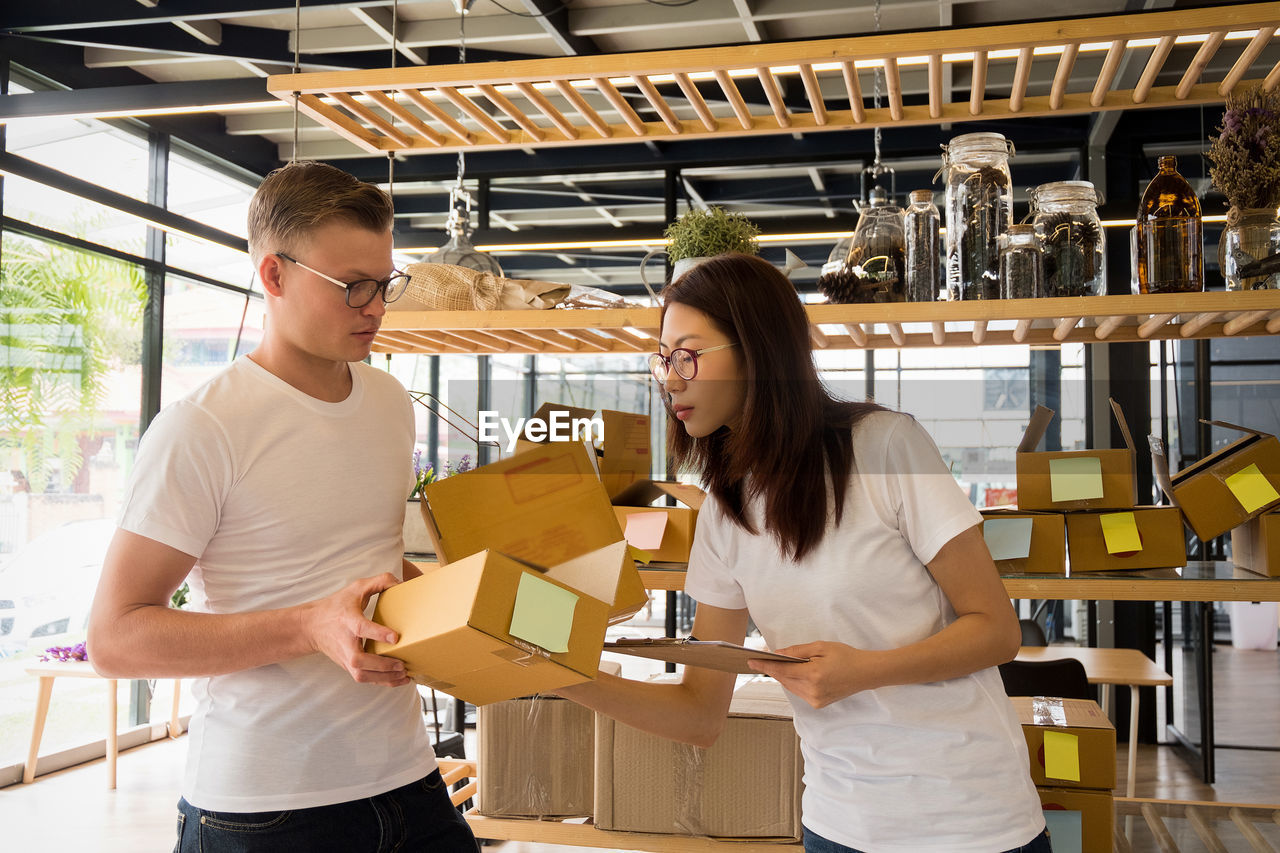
[(1092, 480)]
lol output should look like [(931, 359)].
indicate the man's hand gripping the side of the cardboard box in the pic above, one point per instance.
[(337, 627)]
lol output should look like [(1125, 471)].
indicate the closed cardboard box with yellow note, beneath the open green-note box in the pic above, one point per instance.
[(1146, 537)]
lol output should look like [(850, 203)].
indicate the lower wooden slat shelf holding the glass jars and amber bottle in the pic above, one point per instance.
[(1091, 320)]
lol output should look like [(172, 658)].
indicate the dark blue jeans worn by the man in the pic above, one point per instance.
[(415, 819)]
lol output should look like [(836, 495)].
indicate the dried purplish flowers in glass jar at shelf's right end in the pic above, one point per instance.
[(1246, 157)]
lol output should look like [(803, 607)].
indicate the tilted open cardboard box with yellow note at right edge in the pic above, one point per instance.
[(1228, 487)]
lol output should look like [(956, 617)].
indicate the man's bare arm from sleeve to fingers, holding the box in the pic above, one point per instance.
[(134, 633)]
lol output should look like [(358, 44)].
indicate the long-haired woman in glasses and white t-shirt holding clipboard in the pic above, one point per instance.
[(839, 530)]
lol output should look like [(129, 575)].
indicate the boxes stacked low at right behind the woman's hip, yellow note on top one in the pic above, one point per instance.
[(1073, 763)]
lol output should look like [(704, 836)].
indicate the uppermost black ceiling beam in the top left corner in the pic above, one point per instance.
[(60, 16)]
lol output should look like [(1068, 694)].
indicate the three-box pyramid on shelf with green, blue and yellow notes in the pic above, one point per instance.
[(1086, 500)]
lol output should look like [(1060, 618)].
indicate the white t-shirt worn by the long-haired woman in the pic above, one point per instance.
[(921, 768)]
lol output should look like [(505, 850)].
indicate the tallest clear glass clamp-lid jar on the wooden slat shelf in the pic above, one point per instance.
[(980, 209)]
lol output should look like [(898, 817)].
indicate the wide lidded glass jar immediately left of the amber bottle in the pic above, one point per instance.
[(1066, 215)]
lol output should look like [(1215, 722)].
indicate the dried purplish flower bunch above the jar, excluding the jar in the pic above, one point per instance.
[(1246, 153)]
